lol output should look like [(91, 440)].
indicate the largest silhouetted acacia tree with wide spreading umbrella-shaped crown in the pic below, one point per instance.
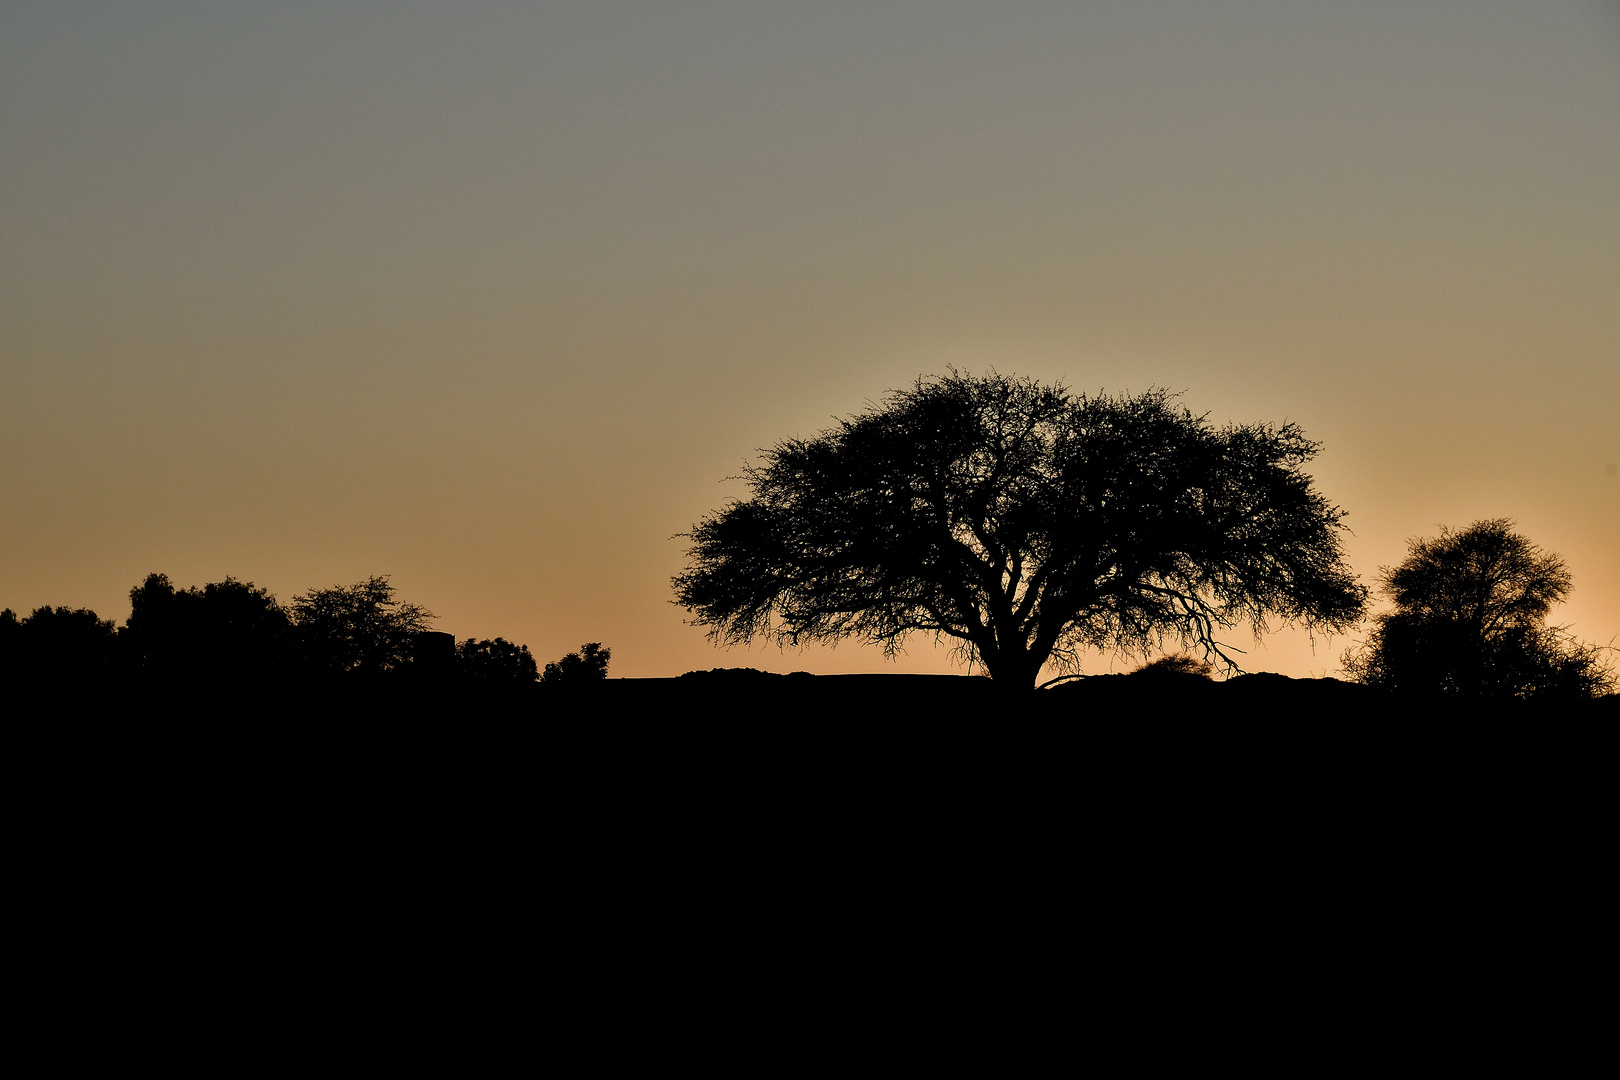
[(1025, 522)]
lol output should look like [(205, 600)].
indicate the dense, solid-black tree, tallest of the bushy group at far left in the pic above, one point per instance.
[(226, 631)]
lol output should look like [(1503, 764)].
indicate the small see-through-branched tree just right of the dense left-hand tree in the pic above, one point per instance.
[(357, 629)]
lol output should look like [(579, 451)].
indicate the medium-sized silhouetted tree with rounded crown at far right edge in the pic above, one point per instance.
[(1470, 621)]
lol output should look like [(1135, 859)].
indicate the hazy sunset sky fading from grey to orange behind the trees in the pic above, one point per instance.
[(493, 297)]
